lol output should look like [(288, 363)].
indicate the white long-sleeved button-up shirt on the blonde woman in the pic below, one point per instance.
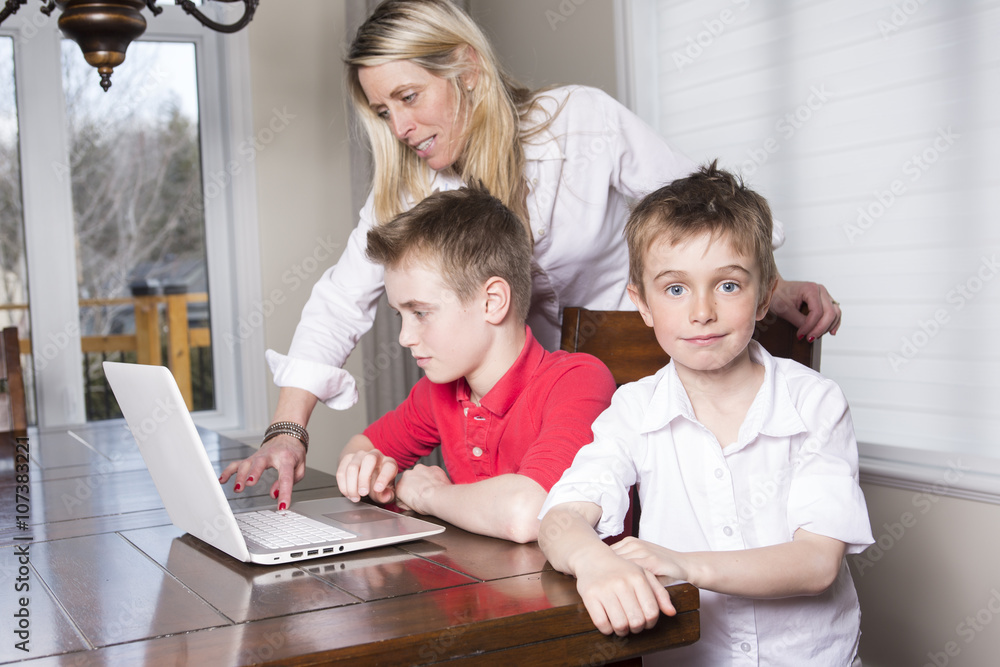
[(581, 172)]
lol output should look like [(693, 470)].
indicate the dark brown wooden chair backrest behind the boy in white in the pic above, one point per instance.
[(629, 349)]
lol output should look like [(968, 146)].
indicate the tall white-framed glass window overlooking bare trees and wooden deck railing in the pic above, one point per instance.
[(130, 233)]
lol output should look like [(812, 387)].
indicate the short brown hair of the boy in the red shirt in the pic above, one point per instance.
[(470, 234)]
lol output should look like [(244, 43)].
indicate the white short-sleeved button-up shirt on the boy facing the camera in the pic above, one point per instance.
[(794, 465)]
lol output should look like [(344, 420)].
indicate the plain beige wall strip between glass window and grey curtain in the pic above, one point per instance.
[(303, 178)]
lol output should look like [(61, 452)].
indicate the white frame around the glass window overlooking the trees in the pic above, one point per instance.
[(231, 226)]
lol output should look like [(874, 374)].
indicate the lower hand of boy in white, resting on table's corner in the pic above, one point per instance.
[(620, 596)]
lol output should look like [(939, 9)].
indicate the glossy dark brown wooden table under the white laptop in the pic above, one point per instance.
[(111, 581)]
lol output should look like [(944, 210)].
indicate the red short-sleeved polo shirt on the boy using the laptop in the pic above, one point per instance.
[(532, 422)]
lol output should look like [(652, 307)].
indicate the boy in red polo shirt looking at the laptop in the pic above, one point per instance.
[(508, 415)]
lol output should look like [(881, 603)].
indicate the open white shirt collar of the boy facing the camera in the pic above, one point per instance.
[(772, 412)]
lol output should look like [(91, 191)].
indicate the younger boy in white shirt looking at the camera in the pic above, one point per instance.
[(746, 465)]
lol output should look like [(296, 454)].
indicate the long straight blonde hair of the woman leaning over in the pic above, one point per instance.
[(441, 38)]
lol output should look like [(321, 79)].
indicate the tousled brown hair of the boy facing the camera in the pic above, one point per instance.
[(710, 200)]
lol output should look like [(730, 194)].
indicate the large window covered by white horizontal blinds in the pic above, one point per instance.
[(871, 127)]
